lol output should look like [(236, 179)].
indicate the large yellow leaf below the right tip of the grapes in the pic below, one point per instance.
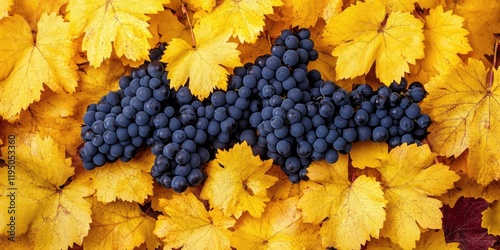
[(409, 179)]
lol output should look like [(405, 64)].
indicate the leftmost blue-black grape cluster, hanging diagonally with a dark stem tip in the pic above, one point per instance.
[(122, 120)]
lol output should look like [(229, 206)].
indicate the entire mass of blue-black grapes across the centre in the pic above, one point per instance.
[(284, 111)]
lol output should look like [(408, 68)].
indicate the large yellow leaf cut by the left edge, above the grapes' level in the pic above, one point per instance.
[(28, 64)]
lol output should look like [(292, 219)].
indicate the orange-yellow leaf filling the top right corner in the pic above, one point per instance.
[(482, 21)]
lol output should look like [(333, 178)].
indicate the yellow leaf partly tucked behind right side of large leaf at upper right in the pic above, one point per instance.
[(444, 39)]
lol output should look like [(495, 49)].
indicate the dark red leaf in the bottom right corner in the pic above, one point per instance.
[(462, 224)]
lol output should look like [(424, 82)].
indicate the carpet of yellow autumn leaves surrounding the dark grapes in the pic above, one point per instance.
[(58, 57)]
